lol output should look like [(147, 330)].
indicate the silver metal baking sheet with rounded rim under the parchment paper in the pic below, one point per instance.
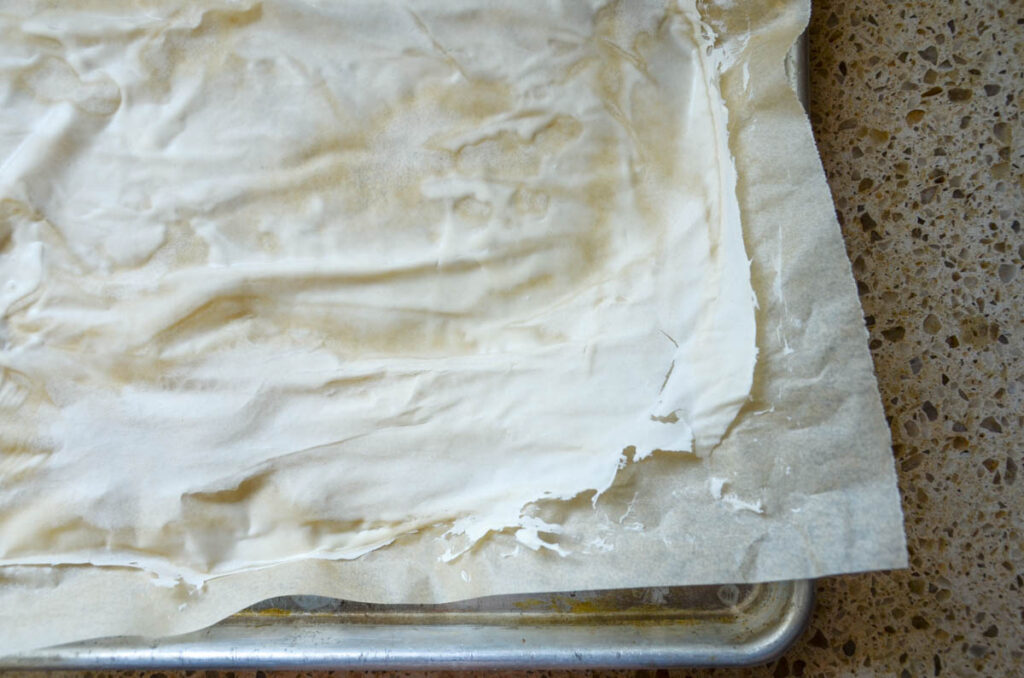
[(703, 626)]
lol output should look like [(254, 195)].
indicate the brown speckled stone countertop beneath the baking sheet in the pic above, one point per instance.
[(916, 106)]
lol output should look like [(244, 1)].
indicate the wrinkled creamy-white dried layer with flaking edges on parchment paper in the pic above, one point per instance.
[(293, 280)]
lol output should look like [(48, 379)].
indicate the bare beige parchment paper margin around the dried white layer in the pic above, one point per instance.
[(803, 486)]
